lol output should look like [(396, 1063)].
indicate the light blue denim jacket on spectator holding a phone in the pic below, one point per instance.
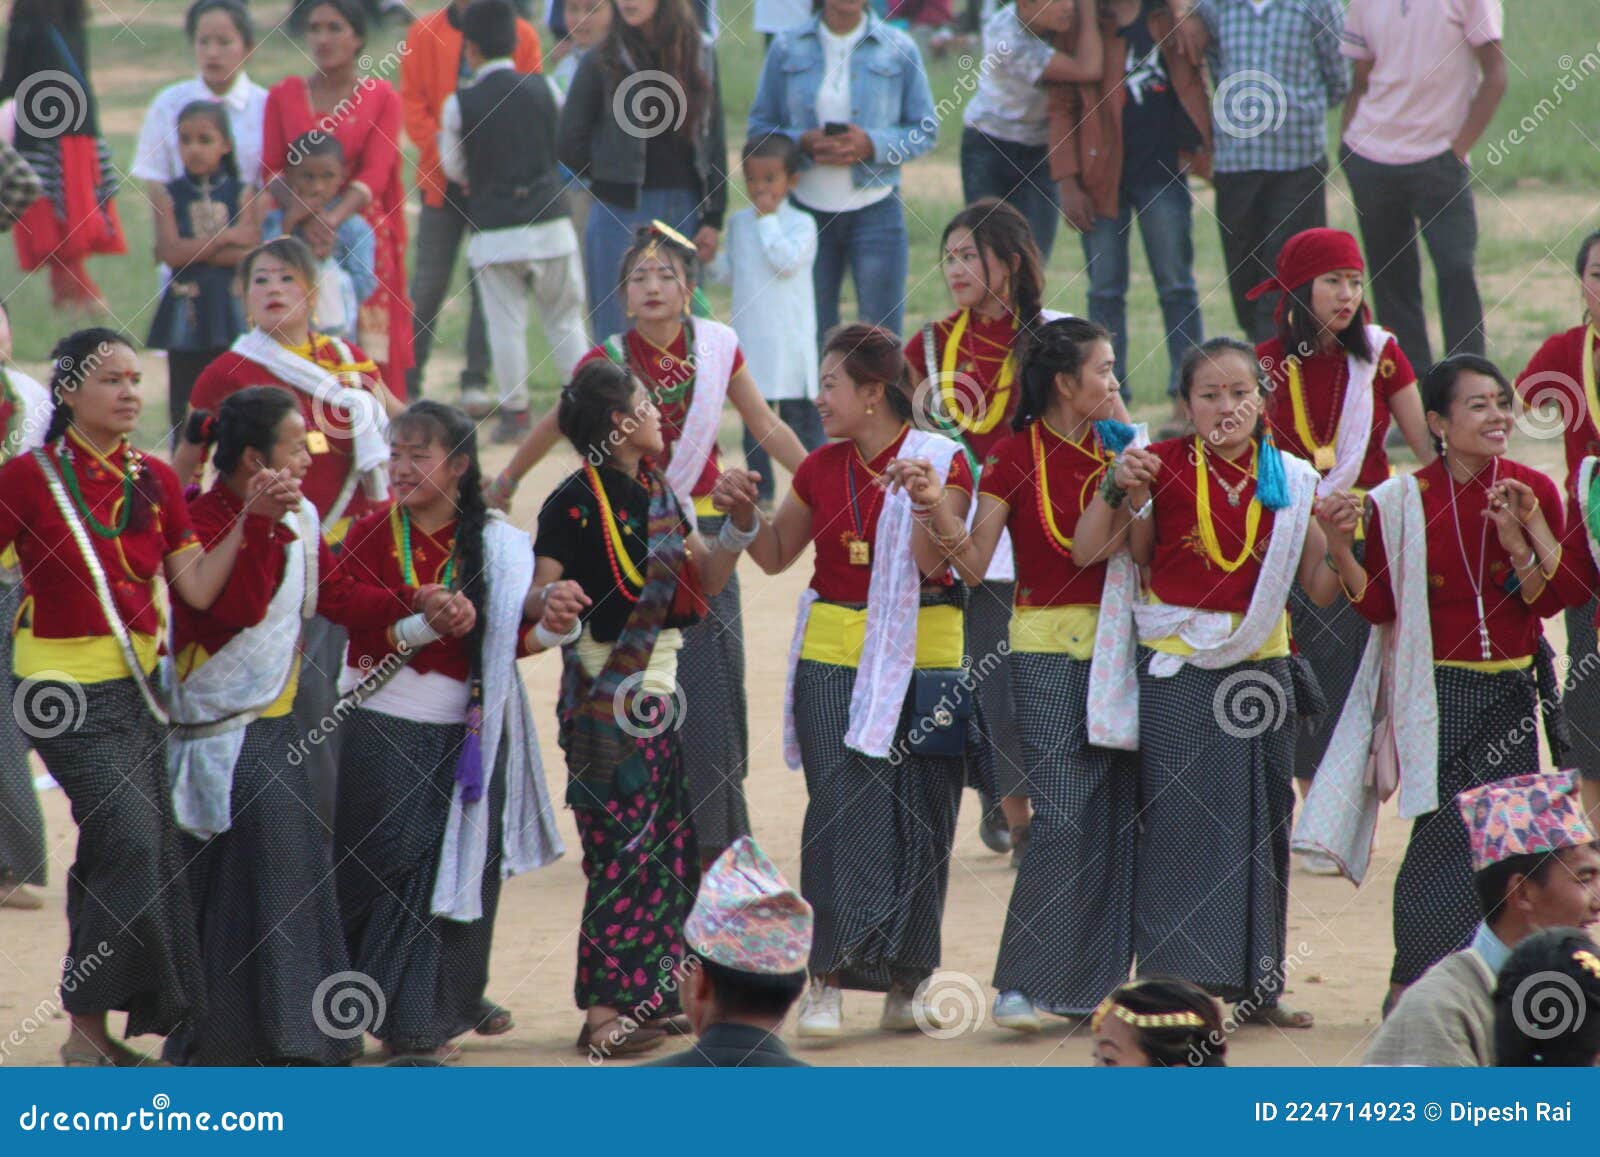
[(889, 95)]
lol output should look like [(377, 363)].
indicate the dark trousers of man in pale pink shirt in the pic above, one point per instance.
[(1398, 202)]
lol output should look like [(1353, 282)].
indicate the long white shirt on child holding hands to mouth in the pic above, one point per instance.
[(769, 260)]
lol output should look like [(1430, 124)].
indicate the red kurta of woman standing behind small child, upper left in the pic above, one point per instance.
[(369, 129)]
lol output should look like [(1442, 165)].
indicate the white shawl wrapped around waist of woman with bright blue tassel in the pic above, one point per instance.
[(1114, 687)]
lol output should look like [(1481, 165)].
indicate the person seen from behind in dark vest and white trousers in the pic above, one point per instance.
[(498, 142)]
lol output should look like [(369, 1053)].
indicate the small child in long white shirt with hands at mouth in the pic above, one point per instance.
[(770, 252)]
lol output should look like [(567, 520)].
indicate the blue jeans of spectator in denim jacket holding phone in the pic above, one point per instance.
[(876, 247)]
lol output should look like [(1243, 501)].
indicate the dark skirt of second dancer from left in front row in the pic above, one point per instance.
[(270, 919)]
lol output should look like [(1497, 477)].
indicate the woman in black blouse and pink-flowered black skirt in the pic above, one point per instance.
[(617, 535)]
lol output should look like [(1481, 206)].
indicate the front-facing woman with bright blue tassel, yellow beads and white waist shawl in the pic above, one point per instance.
[(1225, 526)]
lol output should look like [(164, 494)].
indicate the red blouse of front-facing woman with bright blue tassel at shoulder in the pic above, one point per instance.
[(1182, 572)]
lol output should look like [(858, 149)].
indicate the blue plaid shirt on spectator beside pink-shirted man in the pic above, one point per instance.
[(1276, 73)]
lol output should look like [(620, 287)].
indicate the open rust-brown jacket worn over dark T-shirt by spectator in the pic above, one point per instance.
[(1086, 119)]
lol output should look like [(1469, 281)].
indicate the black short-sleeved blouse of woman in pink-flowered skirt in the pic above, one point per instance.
[(572, 532)]
